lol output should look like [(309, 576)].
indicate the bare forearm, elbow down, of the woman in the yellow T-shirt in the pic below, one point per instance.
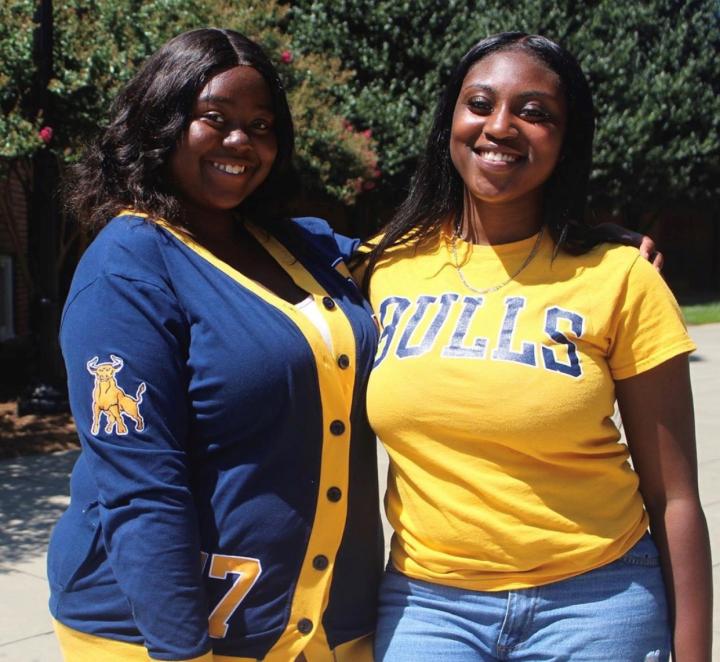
[(681, 534)]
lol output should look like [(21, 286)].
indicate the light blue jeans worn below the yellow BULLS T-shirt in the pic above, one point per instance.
[(617, 612)]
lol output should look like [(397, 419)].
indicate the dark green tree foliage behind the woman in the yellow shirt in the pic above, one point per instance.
[(652, 67)]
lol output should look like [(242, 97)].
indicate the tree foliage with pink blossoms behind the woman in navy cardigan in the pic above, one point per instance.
[(99, 44)]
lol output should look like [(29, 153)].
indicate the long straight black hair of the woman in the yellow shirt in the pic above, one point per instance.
[(436, 192)]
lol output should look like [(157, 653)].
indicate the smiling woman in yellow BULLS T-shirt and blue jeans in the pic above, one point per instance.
[(509, 331)]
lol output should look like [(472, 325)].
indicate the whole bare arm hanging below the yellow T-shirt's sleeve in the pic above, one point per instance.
[(657, 412)]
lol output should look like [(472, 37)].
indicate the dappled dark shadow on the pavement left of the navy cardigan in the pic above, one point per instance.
[(33, 495)]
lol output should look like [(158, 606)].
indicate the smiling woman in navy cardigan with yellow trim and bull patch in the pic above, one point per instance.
[(217, 355)]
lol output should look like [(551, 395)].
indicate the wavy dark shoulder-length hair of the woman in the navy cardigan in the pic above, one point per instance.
[(125, 167)]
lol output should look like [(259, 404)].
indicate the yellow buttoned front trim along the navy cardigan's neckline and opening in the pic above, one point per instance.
[(336, 387)]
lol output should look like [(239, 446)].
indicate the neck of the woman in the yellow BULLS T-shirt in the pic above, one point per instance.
[(500, 222)]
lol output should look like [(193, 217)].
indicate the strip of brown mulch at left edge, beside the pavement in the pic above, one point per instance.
[(34, 434)]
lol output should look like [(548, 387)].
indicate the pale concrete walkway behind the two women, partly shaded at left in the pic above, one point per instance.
[(33, 494)]
